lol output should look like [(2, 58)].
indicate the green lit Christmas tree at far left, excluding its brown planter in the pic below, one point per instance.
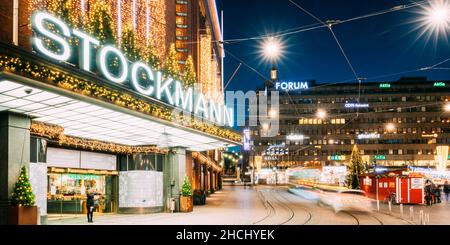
[(23, 194)]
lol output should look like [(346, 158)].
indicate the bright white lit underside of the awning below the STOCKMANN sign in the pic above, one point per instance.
[(105, 122)]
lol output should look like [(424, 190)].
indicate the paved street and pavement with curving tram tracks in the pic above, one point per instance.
[(263, 206)]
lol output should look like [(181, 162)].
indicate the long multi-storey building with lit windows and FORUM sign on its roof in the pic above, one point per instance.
[(393, 123)]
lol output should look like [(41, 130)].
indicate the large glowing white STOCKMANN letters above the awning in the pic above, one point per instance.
[(158, 87)]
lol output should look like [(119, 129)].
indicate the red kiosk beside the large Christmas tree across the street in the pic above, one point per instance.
[(395, 187)]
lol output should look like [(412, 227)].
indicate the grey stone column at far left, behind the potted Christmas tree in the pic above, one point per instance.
[(14, 153)]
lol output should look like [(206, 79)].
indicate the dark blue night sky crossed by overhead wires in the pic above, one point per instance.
[(376, 46)]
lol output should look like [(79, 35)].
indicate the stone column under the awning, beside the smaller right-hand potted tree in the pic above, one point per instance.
[(174, 173)]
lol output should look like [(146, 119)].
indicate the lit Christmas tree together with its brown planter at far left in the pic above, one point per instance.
[(23, 211)]
